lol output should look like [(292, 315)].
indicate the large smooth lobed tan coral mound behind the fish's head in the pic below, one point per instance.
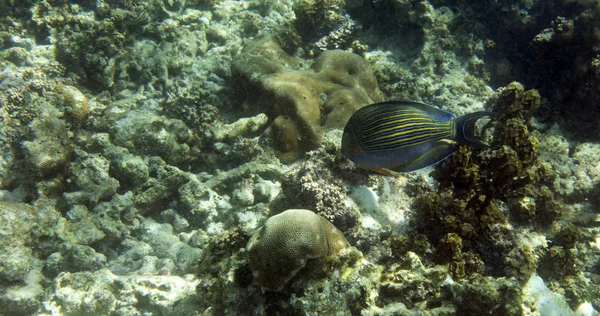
[(302, 102)]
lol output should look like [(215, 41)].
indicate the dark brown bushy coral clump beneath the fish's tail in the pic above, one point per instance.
[(483, 193)]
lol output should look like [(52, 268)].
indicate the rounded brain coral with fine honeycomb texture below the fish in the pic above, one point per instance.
[(279, 249)]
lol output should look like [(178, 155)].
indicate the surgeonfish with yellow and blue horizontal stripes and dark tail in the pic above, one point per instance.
[(405, 136)]
